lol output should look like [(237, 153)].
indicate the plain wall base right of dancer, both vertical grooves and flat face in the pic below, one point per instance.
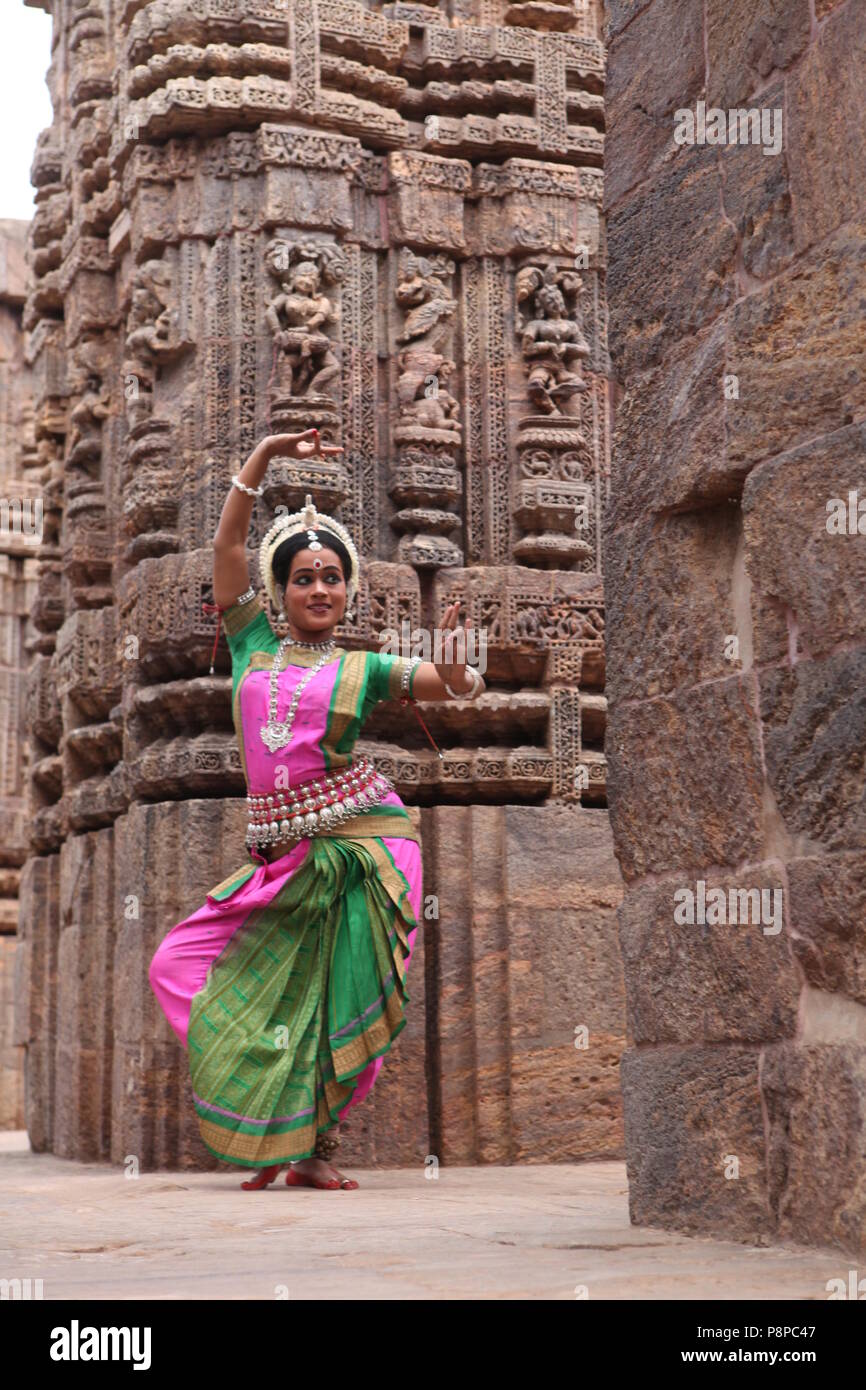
[(529, 982)]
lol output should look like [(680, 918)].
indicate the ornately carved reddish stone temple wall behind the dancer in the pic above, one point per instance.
[(256, 216)]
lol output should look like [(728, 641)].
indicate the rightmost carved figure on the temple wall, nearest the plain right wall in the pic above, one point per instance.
[(553, 336)]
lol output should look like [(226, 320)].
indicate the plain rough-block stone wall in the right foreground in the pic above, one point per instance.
[(736, 578)]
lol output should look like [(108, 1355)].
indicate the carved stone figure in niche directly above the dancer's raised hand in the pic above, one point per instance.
[(300, 313)]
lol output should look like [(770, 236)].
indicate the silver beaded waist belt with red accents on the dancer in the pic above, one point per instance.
[(316, 806)]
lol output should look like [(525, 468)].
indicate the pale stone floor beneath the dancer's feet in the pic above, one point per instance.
[(537, 1232)]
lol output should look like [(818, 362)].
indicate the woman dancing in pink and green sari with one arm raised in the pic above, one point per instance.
[(288, 986)]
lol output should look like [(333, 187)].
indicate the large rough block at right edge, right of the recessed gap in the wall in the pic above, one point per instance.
[(814, 578)]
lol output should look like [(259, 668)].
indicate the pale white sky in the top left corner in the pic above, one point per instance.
[(26, 106)]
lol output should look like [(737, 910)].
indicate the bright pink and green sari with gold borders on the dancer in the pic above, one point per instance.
[(288, 986)]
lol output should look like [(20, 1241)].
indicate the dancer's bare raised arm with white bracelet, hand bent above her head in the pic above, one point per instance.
[(231, 571)]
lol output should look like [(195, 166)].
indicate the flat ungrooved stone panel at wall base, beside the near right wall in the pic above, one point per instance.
[(565, 985)]
